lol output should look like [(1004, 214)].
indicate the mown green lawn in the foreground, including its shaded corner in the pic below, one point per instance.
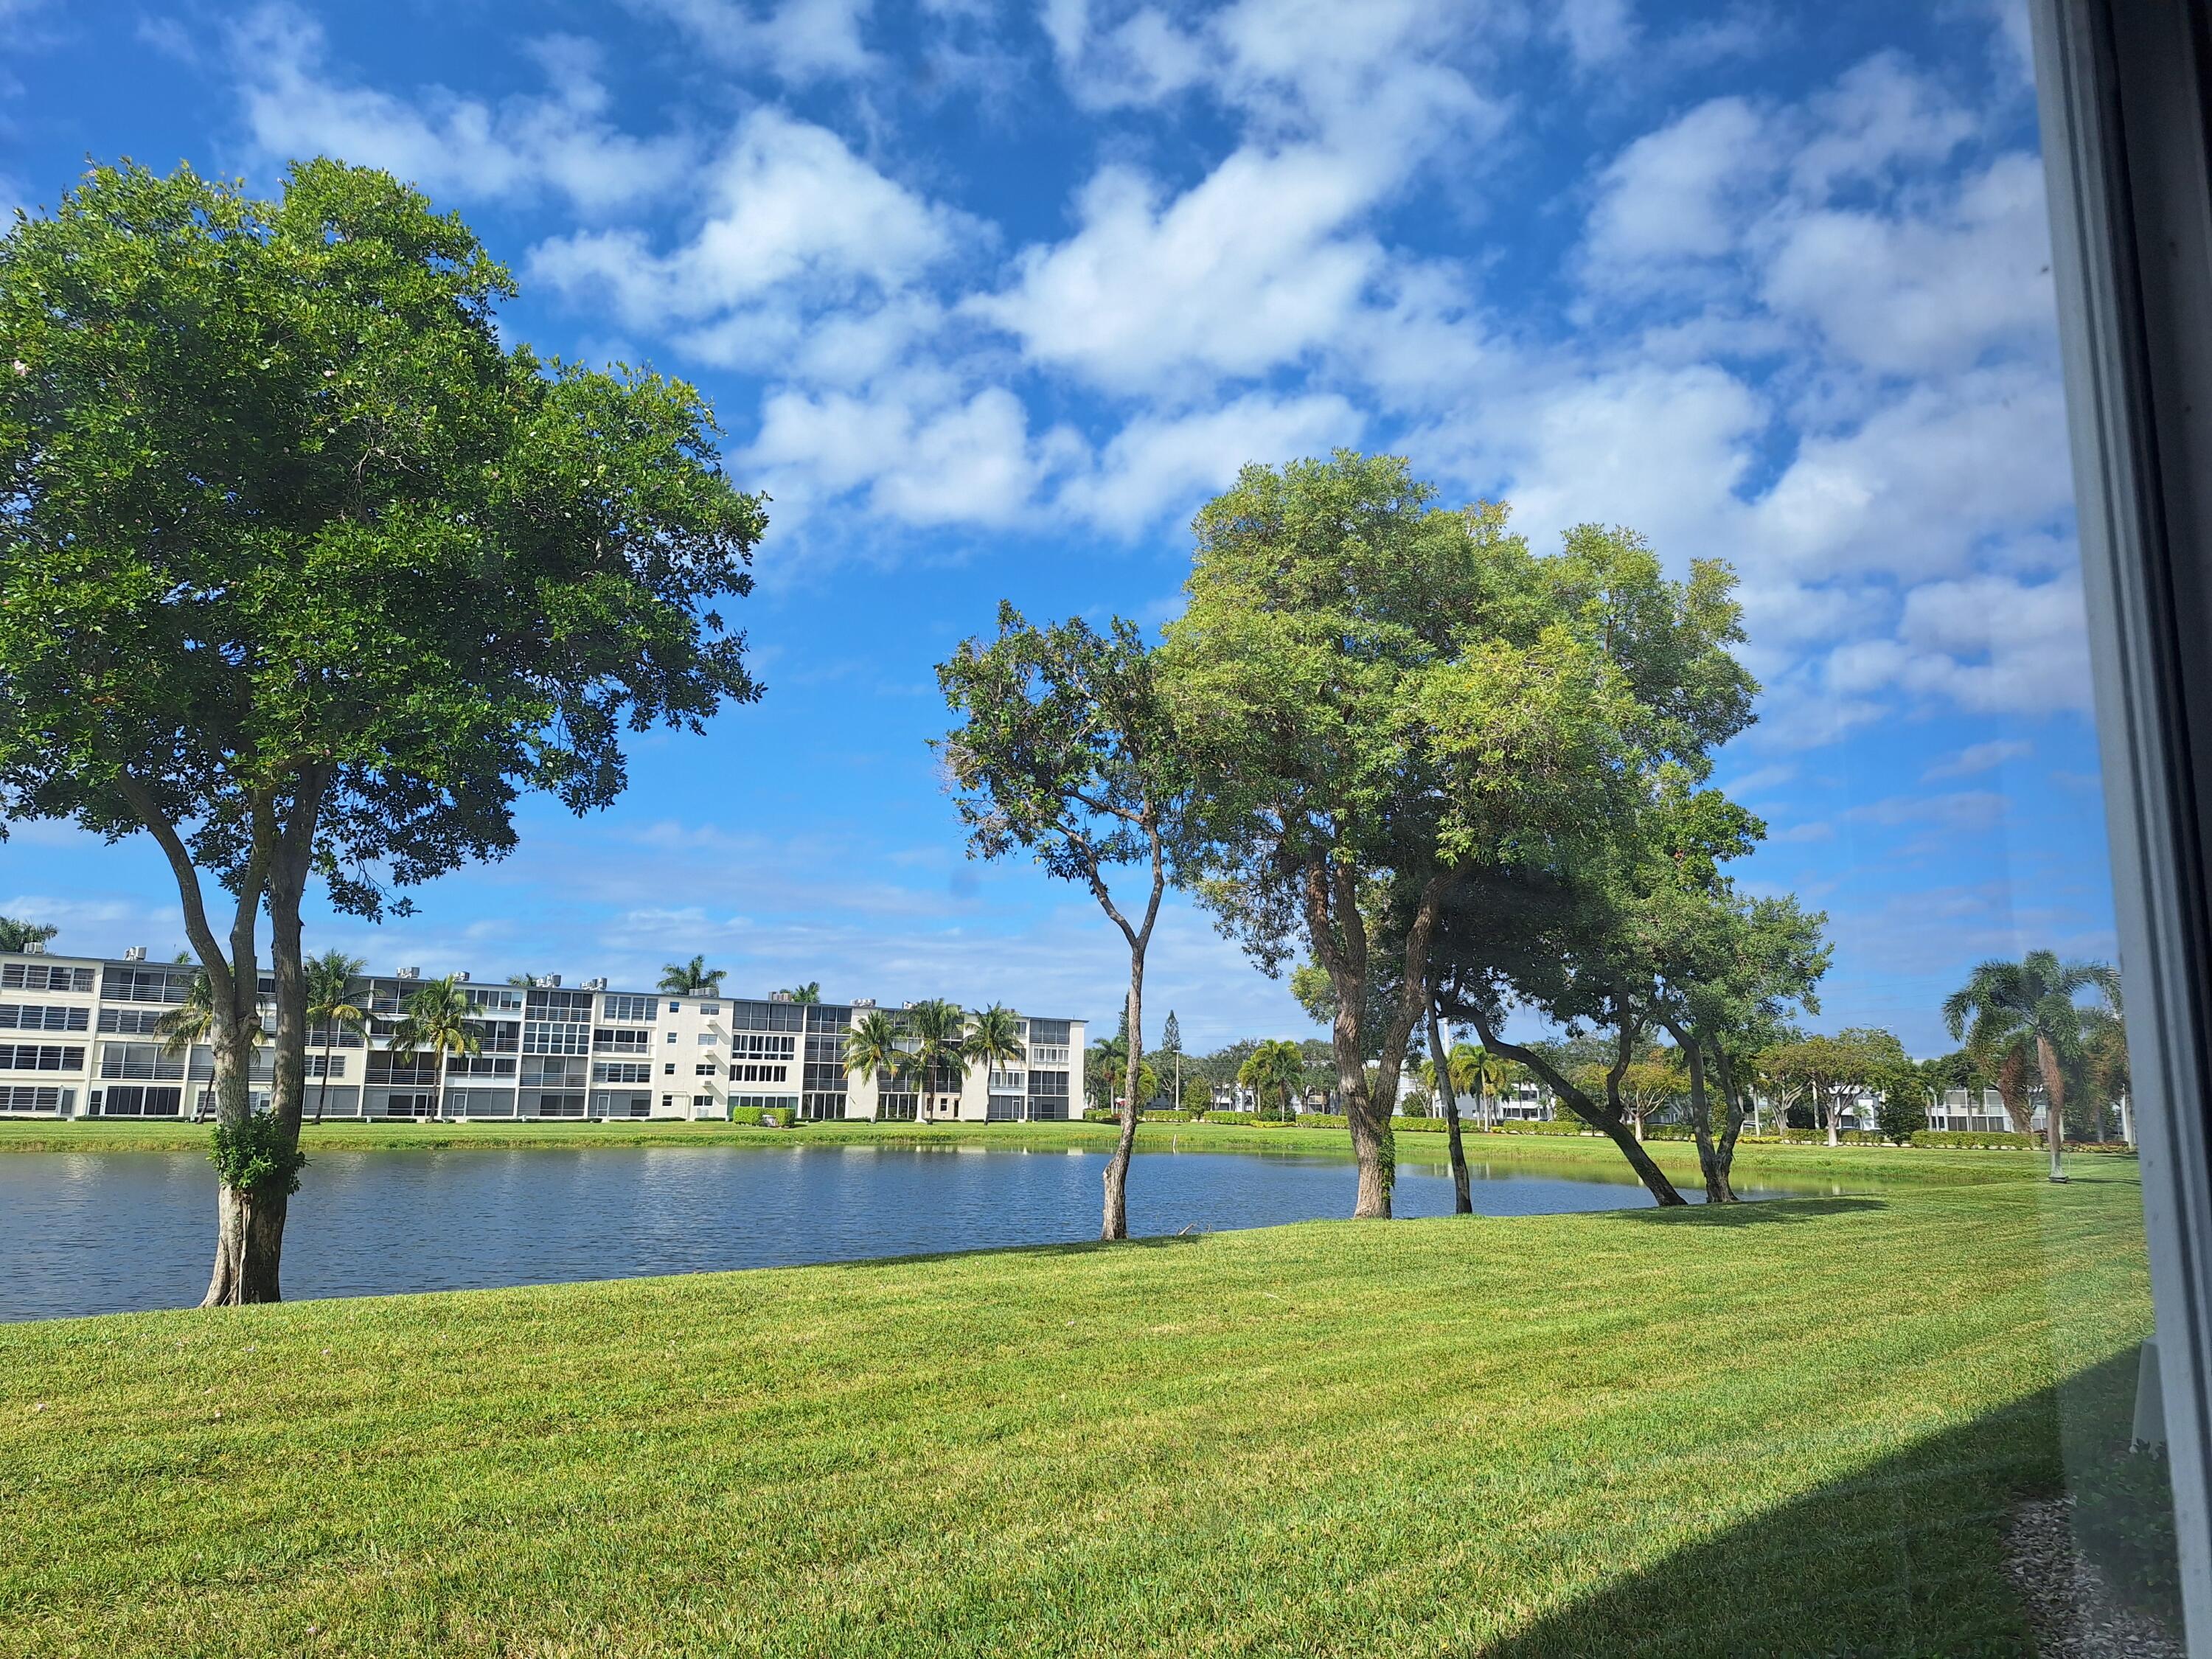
[(1786, 1428)]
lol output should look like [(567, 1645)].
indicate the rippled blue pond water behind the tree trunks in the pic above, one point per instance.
[(125, 1231)]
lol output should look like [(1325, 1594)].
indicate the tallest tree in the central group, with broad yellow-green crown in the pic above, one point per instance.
[(1386, 696)]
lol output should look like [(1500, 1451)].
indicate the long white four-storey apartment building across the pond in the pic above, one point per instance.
[(79, 1041)]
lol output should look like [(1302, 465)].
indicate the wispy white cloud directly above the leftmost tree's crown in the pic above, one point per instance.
[(444, 143)]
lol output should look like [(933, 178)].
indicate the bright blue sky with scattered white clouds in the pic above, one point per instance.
[(992, 293)]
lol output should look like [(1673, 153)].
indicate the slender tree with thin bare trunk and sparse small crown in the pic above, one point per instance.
[(1065, 751)]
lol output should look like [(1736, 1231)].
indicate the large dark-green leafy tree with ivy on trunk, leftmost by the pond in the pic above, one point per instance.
[(309, 574)]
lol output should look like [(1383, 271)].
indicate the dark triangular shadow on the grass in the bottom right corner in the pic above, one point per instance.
[(1901, 1561)]
